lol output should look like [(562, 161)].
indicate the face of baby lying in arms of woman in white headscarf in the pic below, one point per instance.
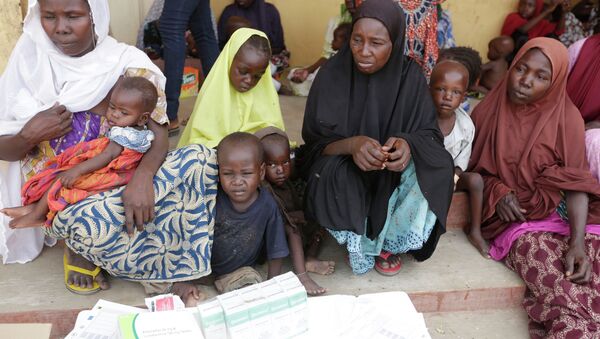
[(125, 108)]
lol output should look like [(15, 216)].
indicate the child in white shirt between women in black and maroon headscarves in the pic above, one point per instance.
[(448, 85)]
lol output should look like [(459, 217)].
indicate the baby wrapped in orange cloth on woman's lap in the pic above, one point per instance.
[(95, 166)]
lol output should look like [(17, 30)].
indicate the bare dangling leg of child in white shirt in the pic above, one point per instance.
[(473, 184)]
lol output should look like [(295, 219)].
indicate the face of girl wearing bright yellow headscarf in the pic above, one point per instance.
[(247, 68)]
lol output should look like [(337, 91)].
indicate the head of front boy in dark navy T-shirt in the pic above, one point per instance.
[(240, 173)]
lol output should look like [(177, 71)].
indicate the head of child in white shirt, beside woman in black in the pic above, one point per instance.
[(448, 88)]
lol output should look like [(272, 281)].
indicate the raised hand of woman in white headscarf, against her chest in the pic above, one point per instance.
[(48, 124)]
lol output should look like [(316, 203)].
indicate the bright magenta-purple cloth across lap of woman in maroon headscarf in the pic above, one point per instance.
[(500, 246)]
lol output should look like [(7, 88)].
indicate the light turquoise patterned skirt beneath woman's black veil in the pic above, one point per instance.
[(408, 226)]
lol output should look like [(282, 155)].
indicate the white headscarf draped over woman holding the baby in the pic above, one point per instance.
[(38, 74)]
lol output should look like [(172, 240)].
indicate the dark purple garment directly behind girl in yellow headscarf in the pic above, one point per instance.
[(262, 15)]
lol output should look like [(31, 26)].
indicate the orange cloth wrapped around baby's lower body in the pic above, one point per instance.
[(117, 173)]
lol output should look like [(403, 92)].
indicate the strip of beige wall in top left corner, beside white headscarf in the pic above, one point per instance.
[(10, 28)]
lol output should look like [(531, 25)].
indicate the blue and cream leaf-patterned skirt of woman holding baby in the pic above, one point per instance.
[(176, 246)]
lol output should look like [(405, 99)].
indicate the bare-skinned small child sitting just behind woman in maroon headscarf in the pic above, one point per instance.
[(492, 72)]
